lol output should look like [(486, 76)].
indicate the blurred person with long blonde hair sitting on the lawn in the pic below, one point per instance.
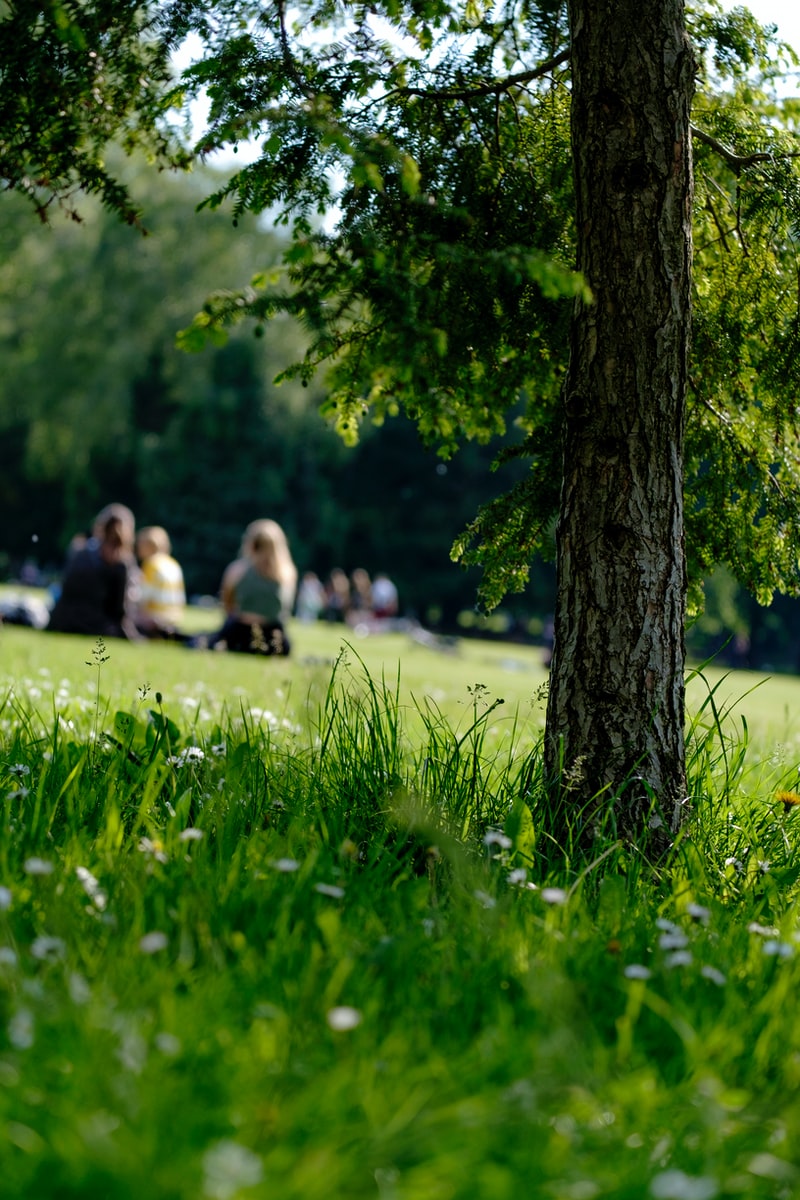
[(258, 592)]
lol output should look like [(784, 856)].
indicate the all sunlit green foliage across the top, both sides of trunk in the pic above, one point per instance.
[(418, 152)]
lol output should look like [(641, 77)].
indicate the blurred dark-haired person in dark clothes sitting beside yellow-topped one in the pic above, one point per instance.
[(100, 581)]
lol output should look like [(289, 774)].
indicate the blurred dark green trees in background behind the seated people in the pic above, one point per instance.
[(97, 404)]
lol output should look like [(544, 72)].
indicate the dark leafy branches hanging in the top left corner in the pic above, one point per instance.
[(76, 76)]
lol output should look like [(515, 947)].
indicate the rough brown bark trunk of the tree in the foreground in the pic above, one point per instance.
[(616, 710)]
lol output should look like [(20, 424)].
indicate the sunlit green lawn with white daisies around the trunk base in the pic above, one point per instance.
[(290, 929)]
